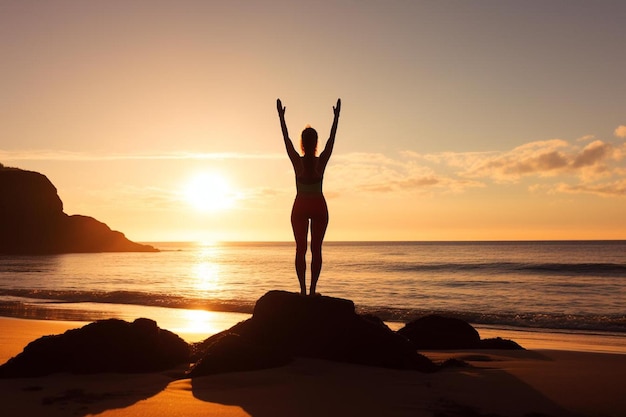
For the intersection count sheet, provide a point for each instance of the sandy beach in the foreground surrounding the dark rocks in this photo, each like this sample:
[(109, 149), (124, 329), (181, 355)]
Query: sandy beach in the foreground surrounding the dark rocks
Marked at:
[(497, 383)]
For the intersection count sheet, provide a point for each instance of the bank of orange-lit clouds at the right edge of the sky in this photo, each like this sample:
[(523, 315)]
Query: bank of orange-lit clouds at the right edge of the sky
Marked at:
[(595, 168)]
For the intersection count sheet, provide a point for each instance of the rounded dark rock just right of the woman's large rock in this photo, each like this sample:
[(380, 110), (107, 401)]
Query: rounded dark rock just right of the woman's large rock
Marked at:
[(437, 332)]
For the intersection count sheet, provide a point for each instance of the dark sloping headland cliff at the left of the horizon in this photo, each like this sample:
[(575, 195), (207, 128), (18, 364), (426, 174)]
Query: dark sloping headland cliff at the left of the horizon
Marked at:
[(32, 220)]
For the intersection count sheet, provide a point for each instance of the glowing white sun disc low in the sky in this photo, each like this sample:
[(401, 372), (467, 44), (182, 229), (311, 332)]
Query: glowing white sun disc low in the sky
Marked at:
[(209, 192)]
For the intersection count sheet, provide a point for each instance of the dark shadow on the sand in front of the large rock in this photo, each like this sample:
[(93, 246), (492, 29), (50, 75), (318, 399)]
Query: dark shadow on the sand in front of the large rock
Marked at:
[(311, 387)]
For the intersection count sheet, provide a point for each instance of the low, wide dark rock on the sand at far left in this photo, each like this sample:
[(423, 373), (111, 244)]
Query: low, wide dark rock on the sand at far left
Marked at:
[(104, 346)]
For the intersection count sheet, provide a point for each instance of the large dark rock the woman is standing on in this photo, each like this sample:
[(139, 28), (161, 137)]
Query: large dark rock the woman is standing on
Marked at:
[(289, 324)]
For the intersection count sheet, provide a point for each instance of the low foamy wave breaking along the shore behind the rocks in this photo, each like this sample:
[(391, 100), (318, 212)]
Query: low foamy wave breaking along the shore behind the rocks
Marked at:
[(23, 303)]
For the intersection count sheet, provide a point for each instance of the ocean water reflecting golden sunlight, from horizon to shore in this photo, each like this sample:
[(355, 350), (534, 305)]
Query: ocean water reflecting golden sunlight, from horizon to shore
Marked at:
[(564, 286)]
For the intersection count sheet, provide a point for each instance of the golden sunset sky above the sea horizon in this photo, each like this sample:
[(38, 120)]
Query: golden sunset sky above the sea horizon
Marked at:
[(460, 120)]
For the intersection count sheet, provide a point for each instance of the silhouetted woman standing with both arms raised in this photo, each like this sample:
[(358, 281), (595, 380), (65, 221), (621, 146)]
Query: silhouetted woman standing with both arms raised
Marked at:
[(310, 204)]
